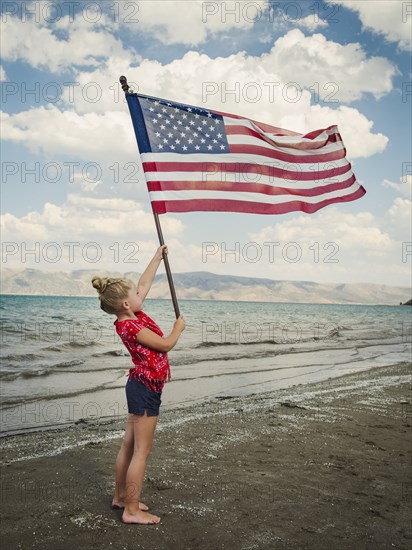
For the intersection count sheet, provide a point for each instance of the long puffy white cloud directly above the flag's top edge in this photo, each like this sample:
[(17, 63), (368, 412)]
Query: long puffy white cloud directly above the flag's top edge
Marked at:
[(296, 71)]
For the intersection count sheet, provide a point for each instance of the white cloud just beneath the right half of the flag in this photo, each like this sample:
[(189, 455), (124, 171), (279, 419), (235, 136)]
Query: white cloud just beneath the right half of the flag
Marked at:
[(332, 245)]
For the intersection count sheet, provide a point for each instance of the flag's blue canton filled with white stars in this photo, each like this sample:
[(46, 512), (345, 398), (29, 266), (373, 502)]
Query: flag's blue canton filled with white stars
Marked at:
[(177, 128)]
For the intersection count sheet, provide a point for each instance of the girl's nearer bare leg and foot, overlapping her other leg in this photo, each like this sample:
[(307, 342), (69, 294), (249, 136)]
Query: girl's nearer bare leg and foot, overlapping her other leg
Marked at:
[(143, 431)]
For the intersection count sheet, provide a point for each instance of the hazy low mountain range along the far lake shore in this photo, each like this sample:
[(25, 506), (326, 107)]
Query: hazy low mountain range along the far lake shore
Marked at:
[(202, 285)]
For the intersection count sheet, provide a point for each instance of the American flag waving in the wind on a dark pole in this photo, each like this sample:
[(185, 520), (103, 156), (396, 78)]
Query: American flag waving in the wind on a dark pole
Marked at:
[(197, 159)]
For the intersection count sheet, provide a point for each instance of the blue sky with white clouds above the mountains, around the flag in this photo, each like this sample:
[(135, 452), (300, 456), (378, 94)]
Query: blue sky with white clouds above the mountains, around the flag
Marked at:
[(73, 190)]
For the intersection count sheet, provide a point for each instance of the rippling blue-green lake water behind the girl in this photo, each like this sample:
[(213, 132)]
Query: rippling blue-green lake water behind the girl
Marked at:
[(62, 360)]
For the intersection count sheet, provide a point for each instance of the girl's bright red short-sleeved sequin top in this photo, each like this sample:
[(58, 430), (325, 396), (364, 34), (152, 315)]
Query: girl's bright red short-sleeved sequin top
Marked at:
[(150, 366)]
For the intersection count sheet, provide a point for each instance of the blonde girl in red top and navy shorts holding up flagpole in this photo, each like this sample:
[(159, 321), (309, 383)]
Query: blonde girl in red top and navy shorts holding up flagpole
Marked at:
[(148, 349)]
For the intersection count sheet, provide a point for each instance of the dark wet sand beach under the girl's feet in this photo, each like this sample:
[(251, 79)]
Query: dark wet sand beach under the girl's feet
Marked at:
[(235, 473)]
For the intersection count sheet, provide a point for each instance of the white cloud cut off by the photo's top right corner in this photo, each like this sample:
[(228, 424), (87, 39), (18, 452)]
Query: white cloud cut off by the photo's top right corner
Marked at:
[(391, 18)]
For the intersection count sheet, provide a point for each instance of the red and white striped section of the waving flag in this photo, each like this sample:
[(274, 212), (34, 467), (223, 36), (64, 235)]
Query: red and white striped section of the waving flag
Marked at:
[(267, 171)]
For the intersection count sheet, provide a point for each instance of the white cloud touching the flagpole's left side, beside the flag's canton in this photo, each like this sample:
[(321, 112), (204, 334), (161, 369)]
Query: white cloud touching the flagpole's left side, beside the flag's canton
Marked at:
[(95, 152)]
